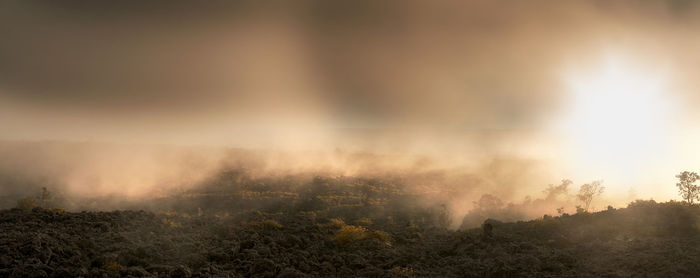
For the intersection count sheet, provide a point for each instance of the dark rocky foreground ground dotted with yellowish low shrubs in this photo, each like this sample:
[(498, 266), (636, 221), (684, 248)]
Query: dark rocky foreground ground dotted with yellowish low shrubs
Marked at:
[(54, 243)]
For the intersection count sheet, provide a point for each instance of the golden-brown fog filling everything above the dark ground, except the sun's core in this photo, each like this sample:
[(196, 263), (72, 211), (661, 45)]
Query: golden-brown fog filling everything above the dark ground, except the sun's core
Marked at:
[(134, 99)]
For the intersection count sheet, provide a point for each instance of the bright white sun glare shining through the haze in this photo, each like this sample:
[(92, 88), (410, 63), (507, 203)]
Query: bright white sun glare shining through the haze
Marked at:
[(617, 119)]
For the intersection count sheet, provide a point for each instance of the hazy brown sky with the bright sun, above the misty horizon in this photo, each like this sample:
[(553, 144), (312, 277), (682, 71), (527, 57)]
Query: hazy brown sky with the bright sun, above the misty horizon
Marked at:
[(592, 89)]
